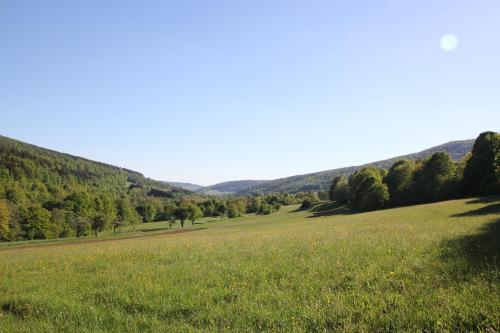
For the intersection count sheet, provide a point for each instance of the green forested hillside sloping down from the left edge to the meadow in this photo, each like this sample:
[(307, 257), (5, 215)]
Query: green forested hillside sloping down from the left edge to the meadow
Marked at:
[(47, 194)]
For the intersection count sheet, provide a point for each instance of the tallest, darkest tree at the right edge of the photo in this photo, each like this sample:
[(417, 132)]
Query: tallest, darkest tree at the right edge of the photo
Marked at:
[(482, 172)]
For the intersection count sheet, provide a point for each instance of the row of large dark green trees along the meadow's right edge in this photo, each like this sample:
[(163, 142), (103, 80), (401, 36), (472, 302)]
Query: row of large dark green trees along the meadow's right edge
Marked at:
[(432, 179)]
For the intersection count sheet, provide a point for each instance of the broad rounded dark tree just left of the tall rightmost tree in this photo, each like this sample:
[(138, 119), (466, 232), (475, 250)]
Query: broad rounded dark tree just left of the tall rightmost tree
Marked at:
[(435, 179)]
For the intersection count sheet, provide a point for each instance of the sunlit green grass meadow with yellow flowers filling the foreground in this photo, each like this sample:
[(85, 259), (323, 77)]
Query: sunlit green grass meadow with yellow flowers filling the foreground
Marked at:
[(423, 268)]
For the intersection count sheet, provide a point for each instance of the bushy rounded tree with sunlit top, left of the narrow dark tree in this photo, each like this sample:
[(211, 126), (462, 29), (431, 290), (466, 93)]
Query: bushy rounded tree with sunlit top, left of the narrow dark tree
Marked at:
[(367, 191)]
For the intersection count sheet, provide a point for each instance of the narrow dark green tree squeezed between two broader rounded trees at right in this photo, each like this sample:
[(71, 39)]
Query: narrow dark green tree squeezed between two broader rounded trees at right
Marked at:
[(399, 180)]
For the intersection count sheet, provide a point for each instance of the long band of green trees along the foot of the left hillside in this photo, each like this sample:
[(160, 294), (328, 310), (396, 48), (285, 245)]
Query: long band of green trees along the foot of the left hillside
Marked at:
[(81, 213)]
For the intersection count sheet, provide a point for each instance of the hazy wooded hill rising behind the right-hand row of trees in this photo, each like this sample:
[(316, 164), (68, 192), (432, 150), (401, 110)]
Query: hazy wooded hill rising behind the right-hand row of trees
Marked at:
[(321, 180)]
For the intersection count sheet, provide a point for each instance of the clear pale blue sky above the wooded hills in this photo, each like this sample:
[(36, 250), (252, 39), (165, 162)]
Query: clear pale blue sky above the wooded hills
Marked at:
[(207, 91)]
